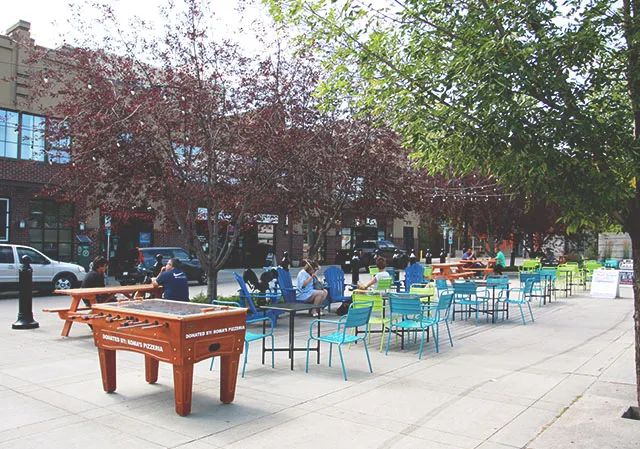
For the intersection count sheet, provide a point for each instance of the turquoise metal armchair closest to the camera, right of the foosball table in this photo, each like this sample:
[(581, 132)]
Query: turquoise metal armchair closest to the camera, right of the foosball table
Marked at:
[(357, 316)]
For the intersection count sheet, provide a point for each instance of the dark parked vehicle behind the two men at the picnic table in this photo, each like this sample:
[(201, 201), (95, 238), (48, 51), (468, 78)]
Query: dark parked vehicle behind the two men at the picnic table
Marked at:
[(147, 258)]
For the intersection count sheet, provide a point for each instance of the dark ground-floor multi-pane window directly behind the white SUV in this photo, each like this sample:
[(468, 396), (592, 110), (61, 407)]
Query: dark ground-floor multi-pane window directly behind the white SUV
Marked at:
[(49, 228)]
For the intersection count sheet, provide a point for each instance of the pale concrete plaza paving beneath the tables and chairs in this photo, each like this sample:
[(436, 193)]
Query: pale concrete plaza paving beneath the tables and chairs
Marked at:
[(563, 381)]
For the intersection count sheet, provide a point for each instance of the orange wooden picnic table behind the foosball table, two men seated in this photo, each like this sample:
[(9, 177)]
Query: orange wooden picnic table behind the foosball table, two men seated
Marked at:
[(83, 314)]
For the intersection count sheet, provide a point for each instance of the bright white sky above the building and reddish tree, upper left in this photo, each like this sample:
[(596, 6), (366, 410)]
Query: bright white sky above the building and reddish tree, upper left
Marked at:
[(50, 18)]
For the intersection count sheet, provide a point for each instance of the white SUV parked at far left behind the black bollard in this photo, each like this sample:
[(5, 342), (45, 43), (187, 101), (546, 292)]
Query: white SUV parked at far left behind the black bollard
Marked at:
[(48, 274)]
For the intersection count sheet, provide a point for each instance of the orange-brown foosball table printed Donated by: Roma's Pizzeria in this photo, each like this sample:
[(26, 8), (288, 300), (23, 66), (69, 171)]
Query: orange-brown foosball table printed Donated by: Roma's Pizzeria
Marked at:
[(179, 333)]
